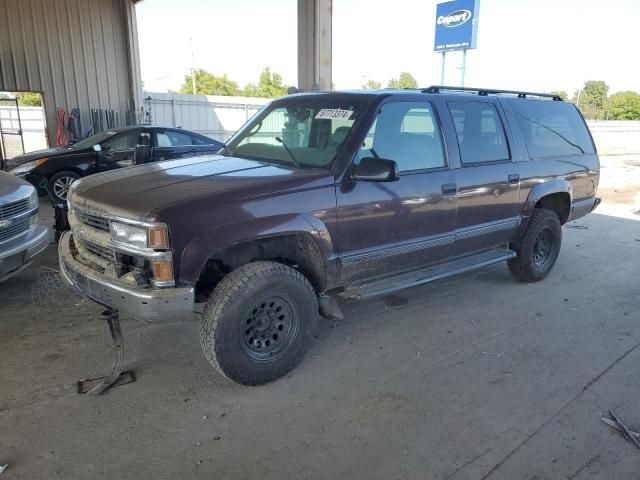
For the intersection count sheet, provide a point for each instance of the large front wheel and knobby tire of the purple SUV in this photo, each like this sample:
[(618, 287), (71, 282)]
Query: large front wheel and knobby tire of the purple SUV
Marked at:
[(259, 322)]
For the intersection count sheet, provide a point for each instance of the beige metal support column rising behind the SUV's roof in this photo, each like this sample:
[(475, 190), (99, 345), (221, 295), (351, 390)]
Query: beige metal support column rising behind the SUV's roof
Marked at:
[(314, 44)]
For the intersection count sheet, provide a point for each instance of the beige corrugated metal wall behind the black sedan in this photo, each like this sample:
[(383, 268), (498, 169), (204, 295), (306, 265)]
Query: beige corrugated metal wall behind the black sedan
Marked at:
[(77, 53)]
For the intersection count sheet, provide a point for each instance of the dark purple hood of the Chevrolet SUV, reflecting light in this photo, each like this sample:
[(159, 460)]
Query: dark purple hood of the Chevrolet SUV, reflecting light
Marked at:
[(137, 192)]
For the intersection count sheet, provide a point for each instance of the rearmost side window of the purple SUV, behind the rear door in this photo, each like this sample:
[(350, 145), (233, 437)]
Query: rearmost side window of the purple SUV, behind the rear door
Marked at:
[(552, 128)]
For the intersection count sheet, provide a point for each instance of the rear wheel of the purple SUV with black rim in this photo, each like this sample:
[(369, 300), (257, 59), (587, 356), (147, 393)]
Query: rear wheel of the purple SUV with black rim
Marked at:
[(538, 249)]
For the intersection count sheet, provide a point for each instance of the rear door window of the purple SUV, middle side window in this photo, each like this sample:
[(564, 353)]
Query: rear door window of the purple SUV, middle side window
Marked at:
[(480, 133)]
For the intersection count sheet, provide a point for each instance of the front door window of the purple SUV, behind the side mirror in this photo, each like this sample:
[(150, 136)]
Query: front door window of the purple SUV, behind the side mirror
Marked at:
[(407, 133)]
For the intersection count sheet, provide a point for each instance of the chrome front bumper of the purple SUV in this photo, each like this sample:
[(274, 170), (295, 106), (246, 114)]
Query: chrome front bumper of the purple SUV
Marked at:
[(163, 304)]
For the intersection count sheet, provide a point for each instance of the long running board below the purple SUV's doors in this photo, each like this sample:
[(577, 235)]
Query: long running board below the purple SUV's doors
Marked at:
[(382, 286)]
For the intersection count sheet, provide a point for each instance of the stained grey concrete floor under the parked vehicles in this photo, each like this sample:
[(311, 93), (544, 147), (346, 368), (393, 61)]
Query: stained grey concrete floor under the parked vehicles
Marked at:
[(472, 377)]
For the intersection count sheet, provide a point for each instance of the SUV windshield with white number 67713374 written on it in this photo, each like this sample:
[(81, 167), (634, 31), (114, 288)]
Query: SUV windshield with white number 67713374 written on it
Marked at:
[(303, 131)]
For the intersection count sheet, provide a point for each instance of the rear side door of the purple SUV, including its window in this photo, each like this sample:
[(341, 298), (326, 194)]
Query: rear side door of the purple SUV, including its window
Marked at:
[(488, 179)]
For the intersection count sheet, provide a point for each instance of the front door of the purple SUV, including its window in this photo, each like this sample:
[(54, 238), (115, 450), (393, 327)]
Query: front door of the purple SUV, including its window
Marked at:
[(386, 227)]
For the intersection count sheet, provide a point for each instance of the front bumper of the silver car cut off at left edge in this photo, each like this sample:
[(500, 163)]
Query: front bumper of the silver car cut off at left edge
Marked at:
[(19, 252)]
